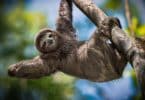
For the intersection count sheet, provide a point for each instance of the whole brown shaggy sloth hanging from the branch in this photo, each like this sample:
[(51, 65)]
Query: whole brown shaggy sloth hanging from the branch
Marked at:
[(95, 59)]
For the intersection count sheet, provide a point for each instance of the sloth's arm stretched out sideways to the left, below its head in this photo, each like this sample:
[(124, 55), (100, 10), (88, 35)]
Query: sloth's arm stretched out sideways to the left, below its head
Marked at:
[(34, 68)]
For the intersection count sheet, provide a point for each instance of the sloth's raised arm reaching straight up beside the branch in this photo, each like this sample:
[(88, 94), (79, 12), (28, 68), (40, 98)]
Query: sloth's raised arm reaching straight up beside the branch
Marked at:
[(64, 21)]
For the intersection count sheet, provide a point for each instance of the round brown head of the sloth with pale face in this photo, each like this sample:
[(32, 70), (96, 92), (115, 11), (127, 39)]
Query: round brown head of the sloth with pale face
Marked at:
[(47, 41)]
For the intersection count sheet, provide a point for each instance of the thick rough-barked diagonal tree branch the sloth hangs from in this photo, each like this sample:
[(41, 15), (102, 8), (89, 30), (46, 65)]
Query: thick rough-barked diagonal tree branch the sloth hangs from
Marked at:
[(128, 46)]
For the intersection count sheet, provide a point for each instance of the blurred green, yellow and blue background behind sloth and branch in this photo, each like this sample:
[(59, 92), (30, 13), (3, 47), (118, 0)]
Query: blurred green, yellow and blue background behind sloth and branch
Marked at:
[(19, 22)]
